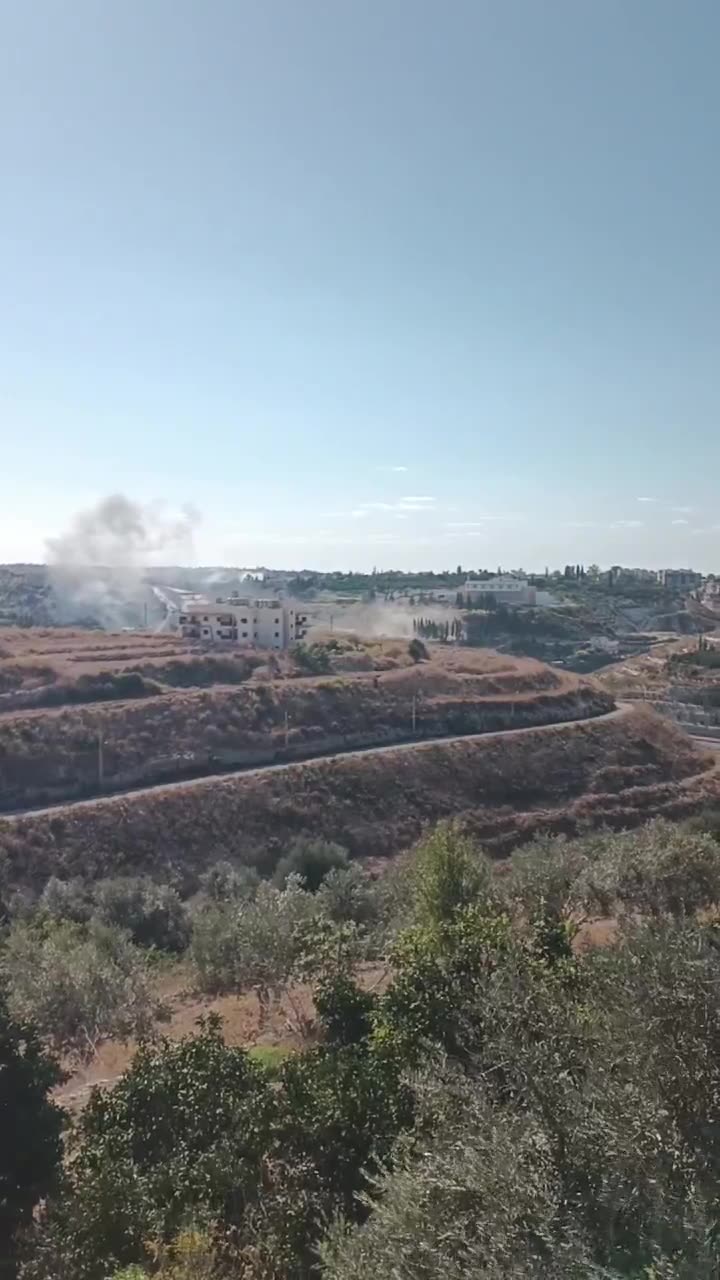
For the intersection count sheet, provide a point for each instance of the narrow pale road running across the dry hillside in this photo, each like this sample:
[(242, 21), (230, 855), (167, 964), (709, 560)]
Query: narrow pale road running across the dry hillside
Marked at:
[(213, 779)]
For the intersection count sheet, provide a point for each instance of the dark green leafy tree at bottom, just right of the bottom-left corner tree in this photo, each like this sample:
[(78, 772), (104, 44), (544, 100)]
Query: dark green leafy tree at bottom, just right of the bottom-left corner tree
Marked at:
[(181, 1136)]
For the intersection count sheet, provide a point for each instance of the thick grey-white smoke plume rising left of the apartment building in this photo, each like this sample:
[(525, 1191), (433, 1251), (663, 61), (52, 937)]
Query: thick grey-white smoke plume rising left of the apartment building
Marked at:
[(98, 566)]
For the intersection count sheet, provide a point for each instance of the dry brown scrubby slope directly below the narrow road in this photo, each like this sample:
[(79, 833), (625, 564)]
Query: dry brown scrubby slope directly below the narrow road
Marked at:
[(618, 771)]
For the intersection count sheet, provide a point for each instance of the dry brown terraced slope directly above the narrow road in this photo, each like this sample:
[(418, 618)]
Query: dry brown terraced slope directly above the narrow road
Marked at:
[(53, 755)]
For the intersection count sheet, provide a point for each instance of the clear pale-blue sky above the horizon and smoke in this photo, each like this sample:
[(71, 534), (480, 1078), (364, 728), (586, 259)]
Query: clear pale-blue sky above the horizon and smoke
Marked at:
[(367, 284)]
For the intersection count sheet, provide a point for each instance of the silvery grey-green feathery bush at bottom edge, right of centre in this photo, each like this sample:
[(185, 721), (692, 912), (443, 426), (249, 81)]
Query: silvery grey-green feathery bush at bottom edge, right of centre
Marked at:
[(482, 1199)]
